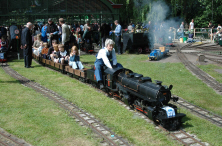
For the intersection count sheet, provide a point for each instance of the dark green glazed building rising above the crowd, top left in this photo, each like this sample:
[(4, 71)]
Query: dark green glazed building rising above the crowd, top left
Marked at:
[(22, 11)]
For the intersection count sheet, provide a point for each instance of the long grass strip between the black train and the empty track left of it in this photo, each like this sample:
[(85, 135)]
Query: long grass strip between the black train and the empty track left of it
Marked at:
[(122, 121)]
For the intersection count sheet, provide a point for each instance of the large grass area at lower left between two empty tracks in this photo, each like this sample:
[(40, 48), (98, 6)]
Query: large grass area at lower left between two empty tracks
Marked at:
[(36, 119)]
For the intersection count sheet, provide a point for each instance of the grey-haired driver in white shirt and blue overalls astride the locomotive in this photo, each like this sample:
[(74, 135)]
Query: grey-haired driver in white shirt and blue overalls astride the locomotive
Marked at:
[(105, 57)]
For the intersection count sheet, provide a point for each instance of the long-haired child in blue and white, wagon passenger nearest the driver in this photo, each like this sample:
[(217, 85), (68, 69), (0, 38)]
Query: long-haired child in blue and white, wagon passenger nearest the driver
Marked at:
[(74, 60)]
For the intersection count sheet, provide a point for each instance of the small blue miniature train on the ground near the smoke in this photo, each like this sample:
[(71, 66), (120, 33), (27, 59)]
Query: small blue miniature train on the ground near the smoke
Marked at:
[(158, 53)]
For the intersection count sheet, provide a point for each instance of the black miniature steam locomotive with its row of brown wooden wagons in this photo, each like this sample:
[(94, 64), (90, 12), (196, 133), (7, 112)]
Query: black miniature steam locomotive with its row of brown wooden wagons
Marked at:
[(137, 91)]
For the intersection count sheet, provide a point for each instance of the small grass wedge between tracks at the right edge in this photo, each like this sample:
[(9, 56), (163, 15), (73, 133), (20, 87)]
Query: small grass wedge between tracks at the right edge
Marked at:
[(210, 69)]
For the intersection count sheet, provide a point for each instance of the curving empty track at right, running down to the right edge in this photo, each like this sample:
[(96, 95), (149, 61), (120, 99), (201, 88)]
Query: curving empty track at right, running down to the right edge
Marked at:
[(210, 81)]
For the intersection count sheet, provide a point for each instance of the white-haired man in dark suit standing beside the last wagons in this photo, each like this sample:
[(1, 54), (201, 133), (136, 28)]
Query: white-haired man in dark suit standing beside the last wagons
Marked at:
[(26, 44)]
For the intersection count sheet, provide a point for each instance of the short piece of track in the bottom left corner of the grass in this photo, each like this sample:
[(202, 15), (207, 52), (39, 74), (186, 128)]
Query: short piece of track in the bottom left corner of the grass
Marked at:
[(7, 139)]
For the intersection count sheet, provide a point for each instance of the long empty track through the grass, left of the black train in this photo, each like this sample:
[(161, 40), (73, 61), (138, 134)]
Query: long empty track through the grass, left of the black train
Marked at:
[(84, 118)]
